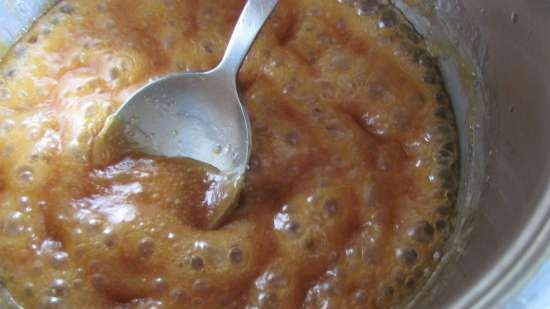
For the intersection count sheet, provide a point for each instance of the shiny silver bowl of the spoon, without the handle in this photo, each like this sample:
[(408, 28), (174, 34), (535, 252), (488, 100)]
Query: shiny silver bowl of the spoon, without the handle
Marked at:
[(192, 115)]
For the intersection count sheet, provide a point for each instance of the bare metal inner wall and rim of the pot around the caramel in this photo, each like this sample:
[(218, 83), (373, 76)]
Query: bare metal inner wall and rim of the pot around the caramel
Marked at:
[(495, 58)]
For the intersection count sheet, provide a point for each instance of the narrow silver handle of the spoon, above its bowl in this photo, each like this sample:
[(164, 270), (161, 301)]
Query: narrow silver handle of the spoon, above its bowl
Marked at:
[(251, 21)]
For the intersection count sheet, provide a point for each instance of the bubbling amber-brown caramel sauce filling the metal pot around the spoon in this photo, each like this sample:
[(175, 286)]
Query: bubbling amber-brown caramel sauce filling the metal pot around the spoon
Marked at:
[(351, 188)]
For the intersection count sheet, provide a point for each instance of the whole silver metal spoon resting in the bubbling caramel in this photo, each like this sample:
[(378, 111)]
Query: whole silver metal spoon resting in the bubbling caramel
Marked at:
[(198, 115)]
